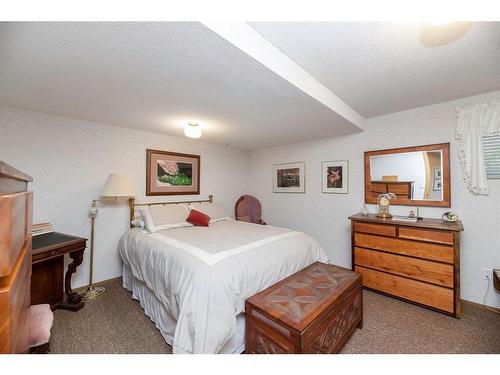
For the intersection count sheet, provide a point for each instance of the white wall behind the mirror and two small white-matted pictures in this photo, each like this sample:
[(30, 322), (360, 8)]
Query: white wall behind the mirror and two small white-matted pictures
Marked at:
[(324, 216)]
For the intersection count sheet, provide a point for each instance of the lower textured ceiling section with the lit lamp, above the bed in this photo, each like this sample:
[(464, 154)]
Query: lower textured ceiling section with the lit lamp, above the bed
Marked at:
[(151, 76)]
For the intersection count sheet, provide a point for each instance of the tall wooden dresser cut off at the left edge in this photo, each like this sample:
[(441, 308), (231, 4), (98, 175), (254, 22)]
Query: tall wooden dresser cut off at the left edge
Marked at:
[(15, 260)]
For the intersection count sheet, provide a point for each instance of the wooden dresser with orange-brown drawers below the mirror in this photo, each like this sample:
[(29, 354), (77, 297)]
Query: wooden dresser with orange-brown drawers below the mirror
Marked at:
[(417, 262)]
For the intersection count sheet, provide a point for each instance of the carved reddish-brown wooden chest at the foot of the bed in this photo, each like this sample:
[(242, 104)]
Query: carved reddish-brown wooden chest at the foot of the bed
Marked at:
[(315, 310)]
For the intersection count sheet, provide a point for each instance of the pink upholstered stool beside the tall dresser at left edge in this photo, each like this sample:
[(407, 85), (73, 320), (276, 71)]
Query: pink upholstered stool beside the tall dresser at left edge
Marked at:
[(41, 319)]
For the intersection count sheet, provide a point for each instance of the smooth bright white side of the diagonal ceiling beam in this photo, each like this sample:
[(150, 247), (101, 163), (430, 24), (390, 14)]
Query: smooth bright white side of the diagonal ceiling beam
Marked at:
[(247, 39)]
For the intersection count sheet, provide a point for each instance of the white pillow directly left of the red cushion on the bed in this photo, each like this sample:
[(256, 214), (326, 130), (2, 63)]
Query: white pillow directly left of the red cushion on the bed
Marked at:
[(160, 217)]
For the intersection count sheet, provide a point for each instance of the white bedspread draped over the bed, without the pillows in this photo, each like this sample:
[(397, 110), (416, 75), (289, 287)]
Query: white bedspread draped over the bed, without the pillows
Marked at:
[(203, 275)]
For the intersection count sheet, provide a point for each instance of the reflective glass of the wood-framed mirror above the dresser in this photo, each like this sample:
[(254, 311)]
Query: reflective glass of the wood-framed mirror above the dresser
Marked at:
[(409, 175)]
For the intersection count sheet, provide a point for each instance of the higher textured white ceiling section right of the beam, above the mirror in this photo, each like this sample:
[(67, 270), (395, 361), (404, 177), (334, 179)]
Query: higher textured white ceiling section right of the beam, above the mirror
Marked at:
[(379, 68)]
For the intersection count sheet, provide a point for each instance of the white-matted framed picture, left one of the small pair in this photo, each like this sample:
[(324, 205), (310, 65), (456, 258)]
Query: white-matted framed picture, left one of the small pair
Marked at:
[(289, 177)]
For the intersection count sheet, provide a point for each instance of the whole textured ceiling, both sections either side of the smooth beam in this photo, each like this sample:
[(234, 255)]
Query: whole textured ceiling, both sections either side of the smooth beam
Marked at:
[(157, 76)]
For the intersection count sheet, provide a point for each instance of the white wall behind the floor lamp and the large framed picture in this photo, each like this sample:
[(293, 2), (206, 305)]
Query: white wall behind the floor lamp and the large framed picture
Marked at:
[(70, 160)]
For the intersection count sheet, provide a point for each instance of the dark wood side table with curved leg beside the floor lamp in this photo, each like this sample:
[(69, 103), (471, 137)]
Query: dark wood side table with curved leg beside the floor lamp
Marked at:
[(48, 267)]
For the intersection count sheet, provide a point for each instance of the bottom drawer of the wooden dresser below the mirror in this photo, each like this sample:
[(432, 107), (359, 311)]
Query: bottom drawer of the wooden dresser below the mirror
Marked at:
[(413, 290)]
